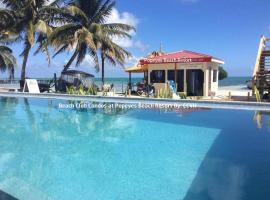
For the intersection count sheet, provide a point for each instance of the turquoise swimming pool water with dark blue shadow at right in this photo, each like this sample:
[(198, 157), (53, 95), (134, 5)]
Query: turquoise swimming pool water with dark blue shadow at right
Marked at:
[(114, 154)]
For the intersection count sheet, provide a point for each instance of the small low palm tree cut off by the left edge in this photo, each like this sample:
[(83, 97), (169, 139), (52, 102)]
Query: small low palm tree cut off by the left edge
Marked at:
[(7, 61)]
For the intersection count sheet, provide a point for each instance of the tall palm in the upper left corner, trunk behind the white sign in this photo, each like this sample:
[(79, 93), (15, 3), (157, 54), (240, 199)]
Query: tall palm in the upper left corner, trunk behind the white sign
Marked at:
[(29, 20)]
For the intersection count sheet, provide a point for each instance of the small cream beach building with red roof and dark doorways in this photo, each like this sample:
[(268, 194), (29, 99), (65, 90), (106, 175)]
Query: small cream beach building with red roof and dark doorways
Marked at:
[(196, 74)]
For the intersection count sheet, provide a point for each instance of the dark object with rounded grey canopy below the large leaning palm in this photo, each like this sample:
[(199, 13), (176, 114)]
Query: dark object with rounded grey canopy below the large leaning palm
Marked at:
[(74, 78)]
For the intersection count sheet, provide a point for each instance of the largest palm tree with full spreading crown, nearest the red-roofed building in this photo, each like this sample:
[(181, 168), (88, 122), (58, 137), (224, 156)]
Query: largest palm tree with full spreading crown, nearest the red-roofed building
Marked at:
[(88, 31)]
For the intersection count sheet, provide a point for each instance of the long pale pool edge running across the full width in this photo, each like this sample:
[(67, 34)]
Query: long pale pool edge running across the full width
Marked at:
[(183, 103)]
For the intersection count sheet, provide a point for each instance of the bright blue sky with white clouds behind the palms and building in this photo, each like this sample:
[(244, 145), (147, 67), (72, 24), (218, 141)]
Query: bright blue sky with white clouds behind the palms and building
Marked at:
[(227, 29)]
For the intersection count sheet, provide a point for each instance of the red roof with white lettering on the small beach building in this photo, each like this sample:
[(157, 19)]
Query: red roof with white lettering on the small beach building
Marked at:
[(179, 57)]
